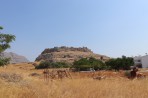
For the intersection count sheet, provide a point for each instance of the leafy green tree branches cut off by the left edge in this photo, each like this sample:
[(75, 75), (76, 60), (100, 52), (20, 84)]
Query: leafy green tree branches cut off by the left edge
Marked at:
[(5, 40)]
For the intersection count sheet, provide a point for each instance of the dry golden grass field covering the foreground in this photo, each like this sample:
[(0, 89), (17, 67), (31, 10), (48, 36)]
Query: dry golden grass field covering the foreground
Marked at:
[(16, 81)]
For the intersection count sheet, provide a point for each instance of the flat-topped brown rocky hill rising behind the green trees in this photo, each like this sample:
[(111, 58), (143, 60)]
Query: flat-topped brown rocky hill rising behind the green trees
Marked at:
[(68, 54)]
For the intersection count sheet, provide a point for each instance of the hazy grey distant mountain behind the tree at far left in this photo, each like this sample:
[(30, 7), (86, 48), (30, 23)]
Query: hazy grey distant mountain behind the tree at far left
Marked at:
[(15, 58)]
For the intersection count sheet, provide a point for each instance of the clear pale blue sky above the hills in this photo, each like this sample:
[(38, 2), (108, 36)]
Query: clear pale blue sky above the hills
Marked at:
[(109, 27)]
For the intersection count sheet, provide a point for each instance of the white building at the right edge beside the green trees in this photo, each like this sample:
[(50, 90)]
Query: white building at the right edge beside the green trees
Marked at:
[(141, 61)]
